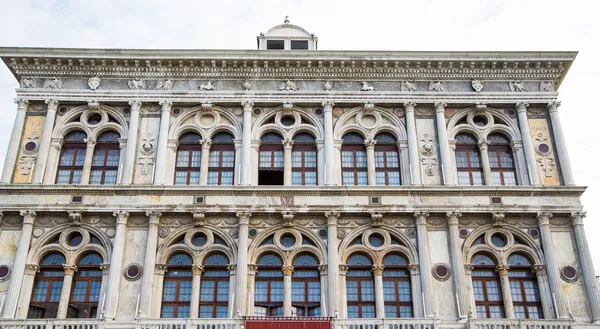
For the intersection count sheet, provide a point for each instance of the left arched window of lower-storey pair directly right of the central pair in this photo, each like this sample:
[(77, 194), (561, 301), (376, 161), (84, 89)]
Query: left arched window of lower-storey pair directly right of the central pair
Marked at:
[(360, 289)]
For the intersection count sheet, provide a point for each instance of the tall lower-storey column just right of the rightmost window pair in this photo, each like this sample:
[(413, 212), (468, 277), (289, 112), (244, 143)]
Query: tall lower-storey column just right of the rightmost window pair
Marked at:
[(551, 263)]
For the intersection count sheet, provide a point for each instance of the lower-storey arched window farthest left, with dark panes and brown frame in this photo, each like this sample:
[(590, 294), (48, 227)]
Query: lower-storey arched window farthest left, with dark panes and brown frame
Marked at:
[(47, 287)]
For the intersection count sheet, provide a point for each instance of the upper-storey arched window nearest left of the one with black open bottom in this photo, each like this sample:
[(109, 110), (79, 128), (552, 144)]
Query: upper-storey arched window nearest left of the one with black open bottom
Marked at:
[(221, 162)]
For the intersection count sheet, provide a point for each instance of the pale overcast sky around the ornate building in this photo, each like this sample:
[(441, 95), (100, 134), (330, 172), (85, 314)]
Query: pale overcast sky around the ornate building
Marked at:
[(511, 25)]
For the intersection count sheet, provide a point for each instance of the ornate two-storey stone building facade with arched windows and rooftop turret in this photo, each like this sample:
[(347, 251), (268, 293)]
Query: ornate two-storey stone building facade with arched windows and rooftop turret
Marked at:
[(161, 188)]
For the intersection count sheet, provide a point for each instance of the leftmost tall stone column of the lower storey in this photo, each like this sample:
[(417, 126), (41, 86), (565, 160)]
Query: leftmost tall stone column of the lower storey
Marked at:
[(18, 268)]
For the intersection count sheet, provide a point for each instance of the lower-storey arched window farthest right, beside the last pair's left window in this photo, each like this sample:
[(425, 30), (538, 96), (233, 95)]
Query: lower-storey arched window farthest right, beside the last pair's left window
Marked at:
[(524, 288)]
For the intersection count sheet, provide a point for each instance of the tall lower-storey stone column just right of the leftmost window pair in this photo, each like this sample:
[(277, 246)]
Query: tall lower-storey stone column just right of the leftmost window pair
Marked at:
[(116, 262)]
